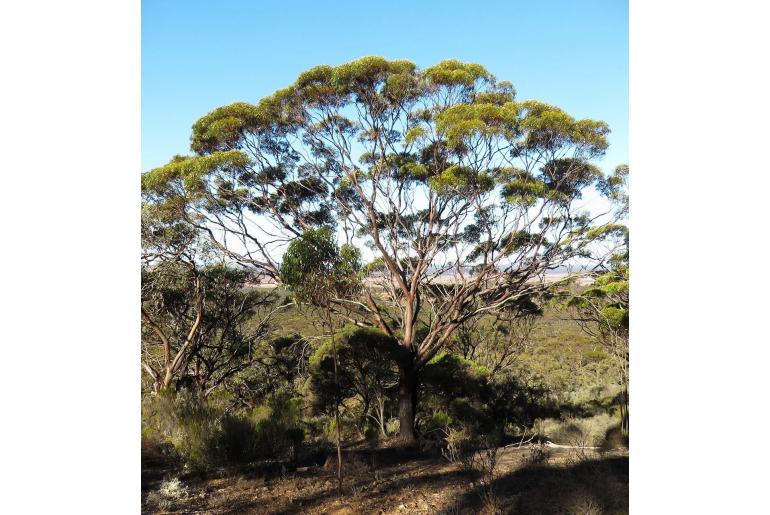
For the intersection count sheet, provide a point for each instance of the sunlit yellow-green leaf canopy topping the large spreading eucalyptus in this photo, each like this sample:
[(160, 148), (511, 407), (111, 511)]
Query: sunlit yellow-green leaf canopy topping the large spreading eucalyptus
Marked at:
[(384, 89)]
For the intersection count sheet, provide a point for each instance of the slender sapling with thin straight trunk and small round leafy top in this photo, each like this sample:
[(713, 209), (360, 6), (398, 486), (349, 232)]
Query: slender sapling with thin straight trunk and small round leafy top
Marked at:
[(318, 272)]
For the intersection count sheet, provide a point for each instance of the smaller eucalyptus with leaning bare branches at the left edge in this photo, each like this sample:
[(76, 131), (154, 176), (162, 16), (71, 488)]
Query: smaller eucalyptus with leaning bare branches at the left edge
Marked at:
[(200, 324)]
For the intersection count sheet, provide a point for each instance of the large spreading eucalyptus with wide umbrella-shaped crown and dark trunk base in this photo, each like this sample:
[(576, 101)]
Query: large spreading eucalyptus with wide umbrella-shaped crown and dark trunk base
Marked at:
[(464, 195)]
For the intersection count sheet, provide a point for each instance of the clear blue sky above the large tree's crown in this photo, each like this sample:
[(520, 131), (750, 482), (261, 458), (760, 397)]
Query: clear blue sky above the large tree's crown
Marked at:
[(197, 55)]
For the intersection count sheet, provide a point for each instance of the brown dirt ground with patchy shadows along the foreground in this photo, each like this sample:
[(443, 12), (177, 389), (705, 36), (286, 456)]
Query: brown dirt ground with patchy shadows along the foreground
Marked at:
[(394, 481)]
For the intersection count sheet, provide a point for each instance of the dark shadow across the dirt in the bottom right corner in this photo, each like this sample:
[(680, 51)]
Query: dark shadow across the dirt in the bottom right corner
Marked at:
[(595, 487)]
